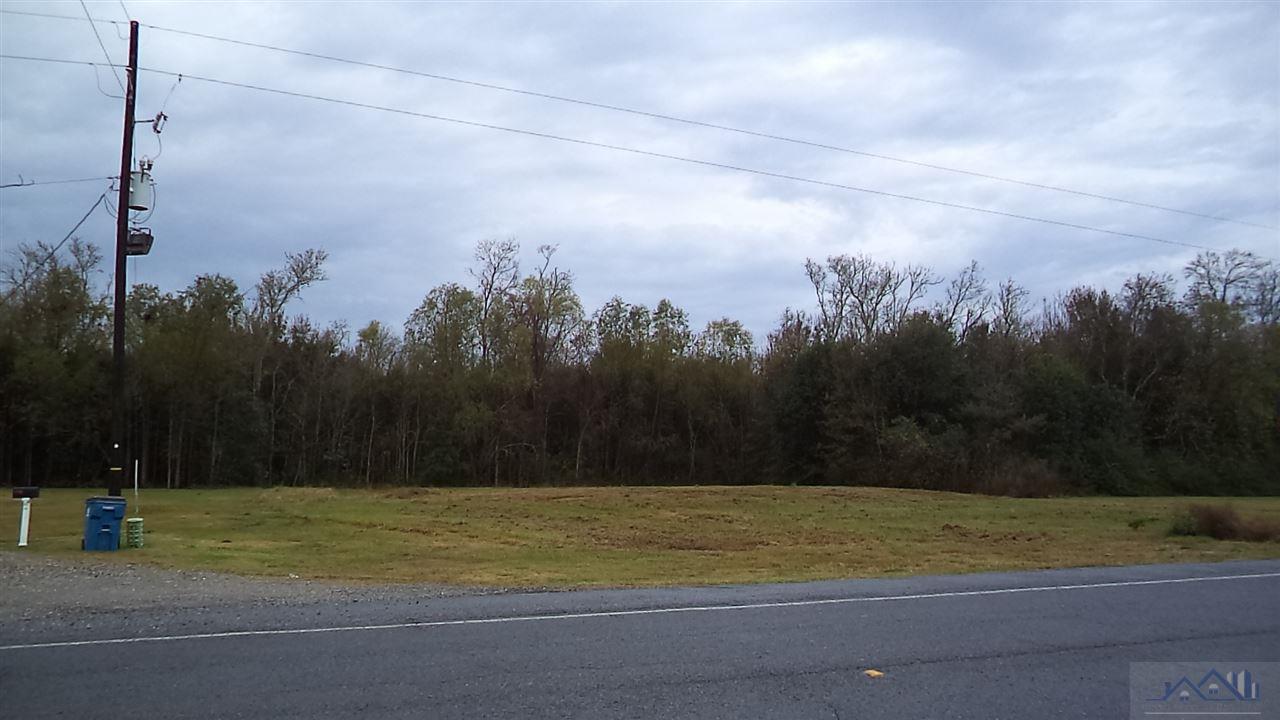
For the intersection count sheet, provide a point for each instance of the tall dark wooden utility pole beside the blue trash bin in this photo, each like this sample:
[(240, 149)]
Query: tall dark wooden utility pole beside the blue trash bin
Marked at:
[(118, 461)]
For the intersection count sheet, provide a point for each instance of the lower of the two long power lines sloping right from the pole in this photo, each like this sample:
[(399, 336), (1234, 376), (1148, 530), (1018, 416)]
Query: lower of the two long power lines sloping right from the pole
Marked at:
[(638, 152)]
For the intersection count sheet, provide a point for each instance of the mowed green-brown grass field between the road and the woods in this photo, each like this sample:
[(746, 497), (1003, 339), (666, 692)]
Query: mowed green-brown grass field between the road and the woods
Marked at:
[(582, 537)]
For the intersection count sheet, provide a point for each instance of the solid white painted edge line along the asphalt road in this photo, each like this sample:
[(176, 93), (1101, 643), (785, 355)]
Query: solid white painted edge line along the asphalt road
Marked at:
[(628, 613)]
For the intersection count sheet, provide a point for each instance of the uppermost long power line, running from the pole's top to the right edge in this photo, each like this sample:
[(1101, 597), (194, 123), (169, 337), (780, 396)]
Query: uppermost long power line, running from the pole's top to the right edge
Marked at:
[(683, 121)]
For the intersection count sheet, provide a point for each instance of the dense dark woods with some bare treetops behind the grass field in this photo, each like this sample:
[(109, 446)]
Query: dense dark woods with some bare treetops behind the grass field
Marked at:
[(894, 377)]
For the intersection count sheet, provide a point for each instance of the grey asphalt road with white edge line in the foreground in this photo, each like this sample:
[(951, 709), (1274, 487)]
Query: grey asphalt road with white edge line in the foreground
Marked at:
[(1011, 645)]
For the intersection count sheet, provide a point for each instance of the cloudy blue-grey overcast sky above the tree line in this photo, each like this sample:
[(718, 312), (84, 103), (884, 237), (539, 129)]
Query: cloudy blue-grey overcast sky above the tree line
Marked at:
[(1169, 104)]
